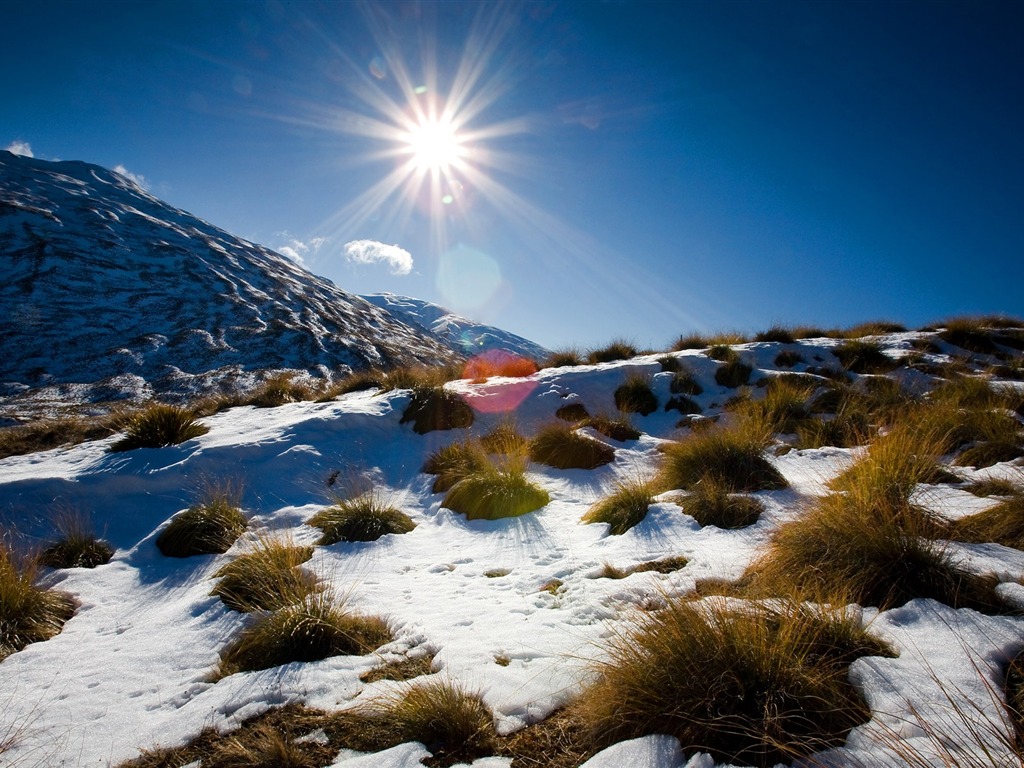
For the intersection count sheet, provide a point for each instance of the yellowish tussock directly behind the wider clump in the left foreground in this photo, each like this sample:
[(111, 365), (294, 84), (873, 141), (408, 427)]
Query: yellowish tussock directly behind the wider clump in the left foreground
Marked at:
[(266, 577)]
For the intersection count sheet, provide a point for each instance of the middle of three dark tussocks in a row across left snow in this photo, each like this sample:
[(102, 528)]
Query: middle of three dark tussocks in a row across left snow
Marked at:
[(206, 529)]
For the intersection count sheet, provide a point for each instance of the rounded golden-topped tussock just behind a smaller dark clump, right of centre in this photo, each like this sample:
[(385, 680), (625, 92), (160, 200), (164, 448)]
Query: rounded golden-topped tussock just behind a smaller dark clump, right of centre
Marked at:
[(734, 458)]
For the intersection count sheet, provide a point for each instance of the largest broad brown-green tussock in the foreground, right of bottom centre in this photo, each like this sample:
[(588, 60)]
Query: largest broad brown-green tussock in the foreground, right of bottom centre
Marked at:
[(750, 687)]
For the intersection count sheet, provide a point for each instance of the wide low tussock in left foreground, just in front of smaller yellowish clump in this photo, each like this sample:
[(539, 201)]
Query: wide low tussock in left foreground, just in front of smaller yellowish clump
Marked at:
[(314, 629)]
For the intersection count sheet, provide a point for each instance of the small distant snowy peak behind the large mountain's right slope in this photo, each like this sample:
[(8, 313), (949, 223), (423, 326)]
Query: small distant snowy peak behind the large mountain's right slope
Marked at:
[(465, 336)]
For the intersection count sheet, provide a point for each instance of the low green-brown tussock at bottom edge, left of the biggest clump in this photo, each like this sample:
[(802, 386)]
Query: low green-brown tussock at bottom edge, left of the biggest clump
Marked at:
[(453, 723)]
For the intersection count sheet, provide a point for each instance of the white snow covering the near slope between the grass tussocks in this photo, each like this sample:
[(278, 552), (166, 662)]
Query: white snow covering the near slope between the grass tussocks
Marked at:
[(133, 669)]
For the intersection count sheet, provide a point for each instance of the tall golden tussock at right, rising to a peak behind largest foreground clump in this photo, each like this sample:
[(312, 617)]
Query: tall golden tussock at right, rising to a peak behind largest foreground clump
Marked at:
[(868, 542)]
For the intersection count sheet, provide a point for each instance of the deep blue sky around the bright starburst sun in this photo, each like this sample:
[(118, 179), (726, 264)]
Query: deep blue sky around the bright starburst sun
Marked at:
[(628, 170)]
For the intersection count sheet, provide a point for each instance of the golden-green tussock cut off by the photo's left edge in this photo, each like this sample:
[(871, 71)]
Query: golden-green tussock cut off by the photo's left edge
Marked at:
[(28, 614)]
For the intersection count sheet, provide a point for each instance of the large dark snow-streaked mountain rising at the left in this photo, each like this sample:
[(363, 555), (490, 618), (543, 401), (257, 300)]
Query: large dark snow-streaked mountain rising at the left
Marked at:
[(109, 292)]
